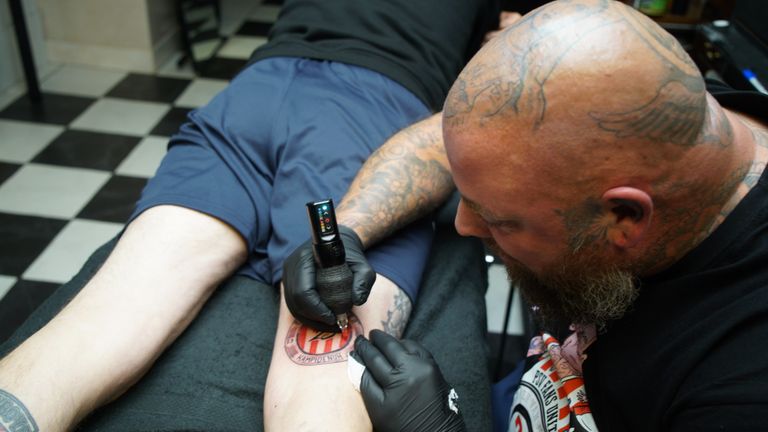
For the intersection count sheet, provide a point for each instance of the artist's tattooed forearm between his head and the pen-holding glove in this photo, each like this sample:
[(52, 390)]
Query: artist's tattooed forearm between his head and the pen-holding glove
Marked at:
[(405, 179)]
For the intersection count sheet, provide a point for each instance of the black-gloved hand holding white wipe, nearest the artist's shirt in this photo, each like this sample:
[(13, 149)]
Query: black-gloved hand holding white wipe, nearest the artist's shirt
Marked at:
[(403, 388)]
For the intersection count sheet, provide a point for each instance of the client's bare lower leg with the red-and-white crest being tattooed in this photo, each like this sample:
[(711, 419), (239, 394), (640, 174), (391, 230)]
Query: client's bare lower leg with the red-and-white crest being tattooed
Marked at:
[(307, 386)]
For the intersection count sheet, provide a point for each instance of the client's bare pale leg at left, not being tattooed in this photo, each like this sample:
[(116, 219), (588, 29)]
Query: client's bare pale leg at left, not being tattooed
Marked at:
[(161, 272)]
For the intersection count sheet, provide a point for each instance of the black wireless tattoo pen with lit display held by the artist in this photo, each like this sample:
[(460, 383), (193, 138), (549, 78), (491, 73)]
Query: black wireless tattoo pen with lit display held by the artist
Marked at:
[(333, 278)]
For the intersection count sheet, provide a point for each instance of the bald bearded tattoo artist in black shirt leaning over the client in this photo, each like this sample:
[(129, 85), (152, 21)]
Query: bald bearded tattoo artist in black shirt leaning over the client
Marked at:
[(628, 199)]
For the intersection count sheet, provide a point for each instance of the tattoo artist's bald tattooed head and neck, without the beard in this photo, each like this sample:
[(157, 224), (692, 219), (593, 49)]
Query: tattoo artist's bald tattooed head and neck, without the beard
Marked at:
[(615, 148)]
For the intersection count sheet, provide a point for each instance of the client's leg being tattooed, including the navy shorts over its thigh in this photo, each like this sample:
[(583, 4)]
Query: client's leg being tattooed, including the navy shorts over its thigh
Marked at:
[(331, 118)]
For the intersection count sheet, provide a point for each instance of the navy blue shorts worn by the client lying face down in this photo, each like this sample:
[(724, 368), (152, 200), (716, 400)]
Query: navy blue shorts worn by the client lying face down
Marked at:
[(287, 131)]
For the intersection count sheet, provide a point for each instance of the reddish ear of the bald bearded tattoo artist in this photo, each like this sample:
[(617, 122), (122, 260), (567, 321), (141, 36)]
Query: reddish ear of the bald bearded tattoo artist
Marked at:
[(631, 209)]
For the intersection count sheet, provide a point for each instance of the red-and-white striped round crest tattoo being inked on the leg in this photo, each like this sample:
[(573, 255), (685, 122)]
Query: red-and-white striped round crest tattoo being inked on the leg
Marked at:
[(307, 346)]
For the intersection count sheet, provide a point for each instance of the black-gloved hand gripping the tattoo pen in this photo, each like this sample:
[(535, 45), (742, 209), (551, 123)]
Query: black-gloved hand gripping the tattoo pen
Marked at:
[(301, 294)]
